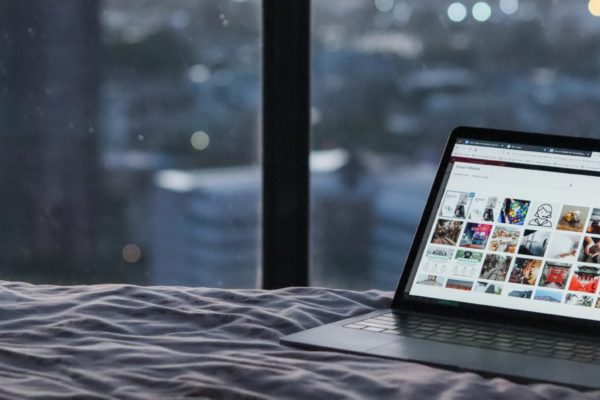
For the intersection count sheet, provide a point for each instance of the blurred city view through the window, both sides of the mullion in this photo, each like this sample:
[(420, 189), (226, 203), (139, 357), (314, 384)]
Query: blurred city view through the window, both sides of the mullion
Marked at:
[(131, 132)]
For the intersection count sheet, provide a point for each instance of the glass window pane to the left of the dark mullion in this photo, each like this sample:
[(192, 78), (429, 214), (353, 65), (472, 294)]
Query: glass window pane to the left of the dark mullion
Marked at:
[(130, 141)]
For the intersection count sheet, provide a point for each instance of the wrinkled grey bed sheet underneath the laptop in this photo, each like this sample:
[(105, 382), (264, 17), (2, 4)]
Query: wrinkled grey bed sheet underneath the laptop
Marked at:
[(129, 342)]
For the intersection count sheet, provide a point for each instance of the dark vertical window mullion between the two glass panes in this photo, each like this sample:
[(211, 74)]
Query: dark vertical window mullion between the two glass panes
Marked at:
[(285, 128)]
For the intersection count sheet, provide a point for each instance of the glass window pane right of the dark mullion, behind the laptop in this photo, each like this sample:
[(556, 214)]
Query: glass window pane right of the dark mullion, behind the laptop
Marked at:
[(389, 87)]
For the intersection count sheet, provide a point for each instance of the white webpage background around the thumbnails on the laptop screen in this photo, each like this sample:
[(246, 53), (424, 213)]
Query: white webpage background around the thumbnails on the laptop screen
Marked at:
[(525, 184)]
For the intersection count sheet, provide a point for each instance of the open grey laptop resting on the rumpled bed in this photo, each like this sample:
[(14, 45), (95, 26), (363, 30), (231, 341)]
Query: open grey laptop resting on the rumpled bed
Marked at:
[(503, 274)]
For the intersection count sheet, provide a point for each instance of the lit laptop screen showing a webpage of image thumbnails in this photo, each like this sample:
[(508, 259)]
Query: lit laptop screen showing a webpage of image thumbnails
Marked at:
[(515, 226)]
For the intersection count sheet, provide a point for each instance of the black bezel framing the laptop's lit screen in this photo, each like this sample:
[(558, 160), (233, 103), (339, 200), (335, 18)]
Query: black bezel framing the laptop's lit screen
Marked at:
[(404, 301)]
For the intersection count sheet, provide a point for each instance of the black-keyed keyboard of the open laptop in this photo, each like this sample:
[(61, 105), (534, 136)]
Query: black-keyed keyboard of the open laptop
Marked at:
[(490, 337)]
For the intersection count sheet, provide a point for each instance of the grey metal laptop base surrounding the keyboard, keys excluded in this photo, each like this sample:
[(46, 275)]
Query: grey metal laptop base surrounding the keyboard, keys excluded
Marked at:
[(517, 367)]
